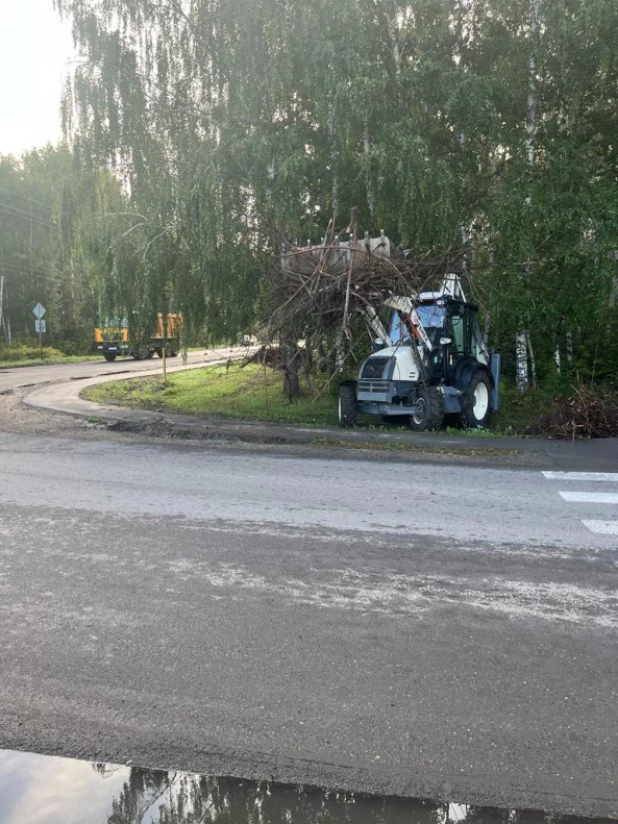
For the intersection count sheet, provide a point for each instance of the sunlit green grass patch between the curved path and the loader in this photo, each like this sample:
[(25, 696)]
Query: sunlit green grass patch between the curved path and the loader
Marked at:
[(251, 393)]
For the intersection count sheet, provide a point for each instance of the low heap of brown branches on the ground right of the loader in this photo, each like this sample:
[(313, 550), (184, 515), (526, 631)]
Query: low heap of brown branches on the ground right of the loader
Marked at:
[(588, 412)]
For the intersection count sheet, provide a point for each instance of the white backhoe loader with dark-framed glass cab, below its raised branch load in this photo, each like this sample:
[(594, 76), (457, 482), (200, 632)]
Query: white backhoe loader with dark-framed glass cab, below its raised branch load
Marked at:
[(431, 362)]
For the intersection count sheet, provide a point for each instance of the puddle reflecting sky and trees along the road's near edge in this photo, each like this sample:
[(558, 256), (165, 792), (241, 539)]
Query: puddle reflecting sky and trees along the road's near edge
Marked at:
[(37, 789)]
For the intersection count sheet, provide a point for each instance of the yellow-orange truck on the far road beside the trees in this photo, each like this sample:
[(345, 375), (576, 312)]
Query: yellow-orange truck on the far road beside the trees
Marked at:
[(112, 338)]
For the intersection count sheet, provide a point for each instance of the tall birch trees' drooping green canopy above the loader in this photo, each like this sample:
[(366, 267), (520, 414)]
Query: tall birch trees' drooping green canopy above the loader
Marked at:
[(235, 126)]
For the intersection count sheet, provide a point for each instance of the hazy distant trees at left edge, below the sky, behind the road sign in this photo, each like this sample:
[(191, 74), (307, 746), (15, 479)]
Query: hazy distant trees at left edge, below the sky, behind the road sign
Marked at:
[(50, 220)]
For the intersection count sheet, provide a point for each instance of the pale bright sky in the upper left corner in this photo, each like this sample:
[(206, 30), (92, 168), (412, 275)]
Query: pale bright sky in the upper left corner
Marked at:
[(35, 50)]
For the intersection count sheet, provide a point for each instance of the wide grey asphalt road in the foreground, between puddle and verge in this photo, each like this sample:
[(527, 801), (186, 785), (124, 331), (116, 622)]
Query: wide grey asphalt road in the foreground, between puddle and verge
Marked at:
[(435, 630)]
